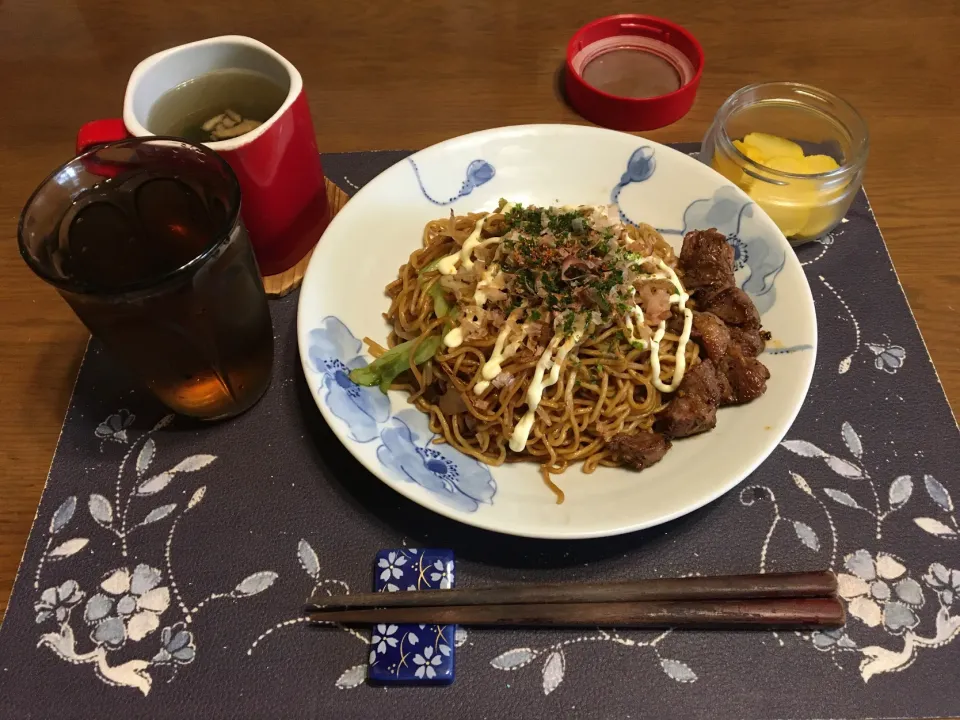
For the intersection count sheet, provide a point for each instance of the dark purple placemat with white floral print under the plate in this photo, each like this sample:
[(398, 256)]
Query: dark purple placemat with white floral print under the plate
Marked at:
[(168, 562)]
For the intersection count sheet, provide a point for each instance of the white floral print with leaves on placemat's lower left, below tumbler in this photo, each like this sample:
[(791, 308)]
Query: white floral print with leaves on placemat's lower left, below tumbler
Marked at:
[(133, 599)]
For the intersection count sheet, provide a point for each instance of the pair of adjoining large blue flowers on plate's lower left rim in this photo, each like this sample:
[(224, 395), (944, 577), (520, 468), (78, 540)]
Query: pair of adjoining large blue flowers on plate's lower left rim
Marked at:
[(407, 447)]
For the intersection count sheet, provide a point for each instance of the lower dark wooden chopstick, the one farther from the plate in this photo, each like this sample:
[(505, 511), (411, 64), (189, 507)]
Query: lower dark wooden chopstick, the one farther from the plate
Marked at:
[(782, 613)]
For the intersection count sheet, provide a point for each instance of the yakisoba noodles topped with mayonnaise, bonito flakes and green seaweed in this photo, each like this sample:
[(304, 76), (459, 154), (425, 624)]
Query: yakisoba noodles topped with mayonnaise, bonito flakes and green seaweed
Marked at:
[(551, 335)]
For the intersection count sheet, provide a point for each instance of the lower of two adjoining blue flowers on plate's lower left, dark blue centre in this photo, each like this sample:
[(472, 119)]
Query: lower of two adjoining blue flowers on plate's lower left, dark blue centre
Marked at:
[(457, 480)]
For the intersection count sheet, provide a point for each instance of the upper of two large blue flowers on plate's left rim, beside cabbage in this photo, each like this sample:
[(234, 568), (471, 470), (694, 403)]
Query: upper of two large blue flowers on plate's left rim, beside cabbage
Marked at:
[(333, 353)]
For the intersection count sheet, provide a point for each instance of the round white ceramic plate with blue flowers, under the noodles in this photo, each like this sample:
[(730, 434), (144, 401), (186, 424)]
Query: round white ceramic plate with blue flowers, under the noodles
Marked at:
[(342, 300)]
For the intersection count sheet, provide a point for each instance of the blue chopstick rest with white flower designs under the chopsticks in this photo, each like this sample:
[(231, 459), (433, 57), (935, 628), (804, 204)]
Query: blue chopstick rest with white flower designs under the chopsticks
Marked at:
[(412, 654)]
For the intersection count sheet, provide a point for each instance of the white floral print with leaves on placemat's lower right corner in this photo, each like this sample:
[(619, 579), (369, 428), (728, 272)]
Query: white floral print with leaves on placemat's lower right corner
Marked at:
[(882, 593)]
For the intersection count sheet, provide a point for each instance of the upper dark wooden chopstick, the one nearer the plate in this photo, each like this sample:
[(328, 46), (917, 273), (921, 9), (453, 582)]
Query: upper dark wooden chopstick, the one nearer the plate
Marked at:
[(730, 587)]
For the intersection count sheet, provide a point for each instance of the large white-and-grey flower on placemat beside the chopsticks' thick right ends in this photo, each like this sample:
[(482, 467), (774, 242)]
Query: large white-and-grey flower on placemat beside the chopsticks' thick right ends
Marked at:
[(879, 591)]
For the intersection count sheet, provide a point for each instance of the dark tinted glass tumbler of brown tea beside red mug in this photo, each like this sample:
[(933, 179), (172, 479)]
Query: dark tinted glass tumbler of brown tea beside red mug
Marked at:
[(144, 241)]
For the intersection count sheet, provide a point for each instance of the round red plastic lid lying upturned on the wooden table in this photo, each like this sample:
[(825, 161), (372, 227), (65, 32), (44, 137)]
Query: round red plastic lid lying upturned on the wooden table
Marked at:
[(633, 72)]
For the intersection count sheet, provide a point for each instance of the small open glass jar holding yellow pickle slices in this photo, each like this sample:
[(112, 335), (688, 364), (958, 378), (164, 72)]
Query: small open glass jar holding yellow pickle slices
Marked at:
[(804, 205)]
